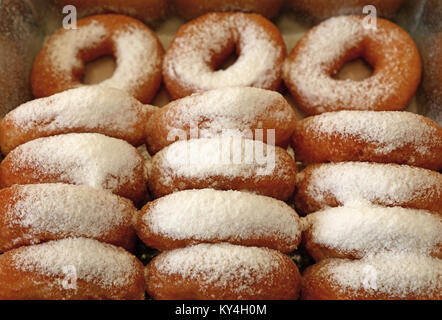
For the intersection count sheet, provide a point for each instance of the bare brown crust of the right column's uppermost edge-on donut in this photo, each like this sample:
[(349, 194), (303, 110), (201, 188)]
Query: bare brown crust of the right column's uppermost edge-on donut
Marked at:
[(338, 147)]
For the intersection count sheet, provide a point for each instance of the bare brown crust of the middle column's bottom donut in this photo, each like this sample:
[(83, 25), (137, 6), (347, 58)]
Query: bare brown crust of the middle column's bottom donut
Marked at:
[(284, 284)]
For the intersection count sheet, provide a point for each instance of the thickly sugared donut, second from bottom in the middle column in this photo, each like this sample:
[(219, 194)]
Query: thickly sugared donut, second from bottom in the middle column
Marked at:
[(196, 216)]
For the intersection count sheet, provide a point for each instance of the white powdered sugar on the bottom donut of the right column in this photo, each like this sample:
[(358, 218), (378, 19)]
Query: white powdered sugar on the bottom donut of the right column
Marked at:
[(394, 274)]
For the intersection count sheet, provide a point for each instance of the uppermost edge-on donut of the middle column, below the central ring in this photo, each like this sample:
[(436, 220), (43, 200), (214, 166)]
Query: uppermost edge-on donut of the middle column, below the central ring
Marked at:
[(253, 112)]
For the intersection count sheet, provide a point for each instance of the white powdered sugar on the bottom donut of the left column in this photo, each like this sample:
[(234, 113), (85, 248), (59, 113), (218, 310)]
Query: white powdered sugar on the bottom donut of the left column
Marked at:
[(102, 264)]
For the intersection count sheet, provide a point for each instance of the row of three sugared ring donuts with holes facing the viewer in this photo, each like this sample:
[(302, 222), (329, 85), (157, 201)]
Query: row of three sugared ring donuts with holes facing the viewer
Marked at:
[(193, 61)]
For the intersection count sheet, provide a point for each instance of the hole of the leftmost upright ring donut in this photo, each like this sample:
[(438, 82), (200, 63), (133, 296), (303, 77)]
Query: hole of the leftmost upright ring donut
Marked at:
[(99, 69)]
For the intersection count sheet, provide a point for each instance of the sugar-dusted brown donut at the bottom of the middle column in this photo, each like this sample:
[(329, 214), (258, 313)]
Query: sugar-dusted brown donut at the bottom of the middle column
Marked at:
[(222, 272)]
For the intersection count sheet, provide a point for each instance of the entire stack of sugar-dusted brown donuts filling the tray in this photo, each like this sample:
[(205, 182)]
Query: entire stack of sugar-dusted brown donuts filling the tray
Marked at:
[(217, 189)]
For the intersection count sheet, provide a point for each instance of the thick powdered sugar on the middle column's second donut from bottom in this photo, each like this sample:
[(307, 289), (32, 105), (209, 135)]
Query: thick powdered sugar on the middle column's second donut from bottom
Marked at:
[(211, 214)]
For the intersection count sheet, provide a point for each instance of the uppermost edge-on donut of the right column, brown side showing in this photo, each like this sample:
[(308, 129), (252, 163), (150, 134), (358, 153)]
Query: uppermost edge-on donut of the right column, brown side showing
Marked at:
[(385, 137)]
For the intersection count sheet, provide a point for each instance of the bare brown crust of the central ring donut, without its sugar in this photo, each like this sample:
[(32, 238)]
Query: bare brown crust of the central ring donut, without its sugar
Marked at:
[(178, 88)]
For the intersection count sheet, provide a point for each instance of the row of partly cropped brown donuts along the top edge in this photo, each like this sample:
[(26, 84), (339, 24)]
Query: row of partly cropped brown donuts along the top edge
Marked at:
[(151, 11)]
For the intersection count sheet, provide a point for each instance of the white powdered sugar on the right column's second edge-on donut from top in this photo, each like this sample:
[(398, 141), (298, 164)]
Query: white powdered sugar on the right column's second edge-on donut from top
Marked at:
[(390, 184)]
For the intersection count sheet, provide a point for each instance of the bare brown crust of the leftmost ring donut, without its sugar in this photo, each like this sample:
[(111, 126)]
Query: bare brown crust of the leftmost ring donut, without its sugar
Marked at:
[(46, 80)]
